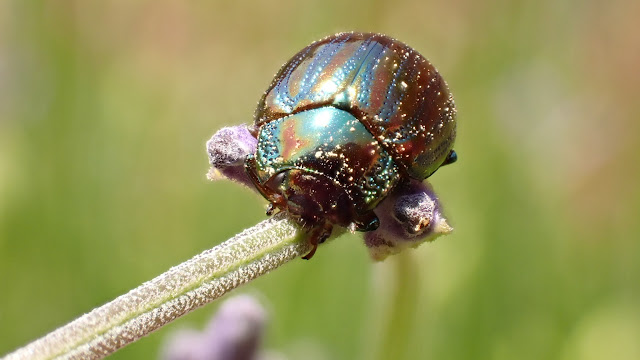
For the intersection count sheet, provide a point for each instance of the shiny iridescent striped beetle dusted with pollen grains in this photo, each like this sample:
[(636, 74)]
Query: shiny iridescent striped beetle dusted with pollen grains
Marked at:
[(343, 123)]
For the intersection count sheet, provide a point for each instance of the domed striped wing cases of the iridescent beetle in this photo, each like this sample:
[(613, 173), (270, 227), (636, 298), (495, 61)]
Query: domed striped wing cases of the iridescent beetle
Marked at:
[(396, 94)]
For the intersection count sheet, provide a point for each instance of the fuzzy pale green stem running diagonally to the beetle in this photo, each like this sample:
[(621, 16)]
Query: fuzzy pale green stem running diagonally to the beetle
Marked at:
[(182, 289)]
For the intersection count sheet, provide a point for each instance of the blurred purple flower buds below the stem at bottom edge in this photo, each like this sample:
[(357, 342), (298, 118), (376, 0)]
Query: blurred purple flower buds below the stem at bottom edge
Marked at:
[(234, 333)]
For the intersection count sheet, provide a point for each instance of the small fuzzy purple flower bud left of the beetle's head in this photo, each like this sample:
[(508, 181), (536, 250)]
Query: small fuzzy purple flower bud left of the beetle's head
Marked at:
[(227, 150)]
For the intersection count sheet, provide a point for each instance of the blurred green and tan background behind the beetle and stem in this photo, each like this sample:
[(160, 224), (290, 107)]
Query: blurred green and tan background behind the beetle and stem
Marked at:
[(105, 108)]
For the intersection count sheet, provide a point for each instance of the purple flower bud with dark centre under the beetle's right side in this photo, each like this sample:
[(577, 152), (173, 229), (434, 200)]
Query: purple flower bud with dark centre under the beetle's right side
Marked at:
[(409, 216)]
